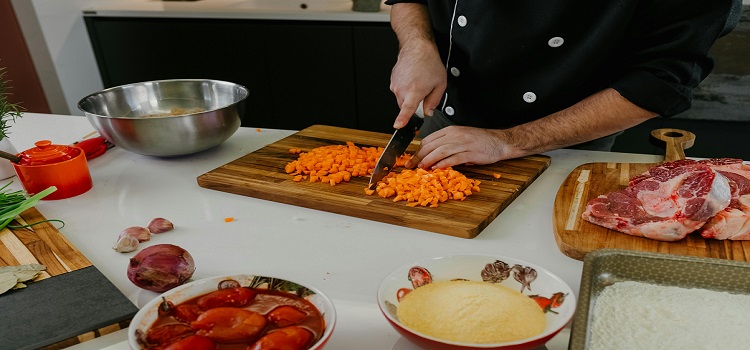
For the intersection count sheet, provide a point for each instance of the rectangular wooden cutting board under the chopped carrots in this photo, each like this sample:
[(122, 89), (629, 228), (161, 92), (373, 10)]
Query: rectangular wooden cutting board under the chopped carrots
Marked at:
[(261, 174)]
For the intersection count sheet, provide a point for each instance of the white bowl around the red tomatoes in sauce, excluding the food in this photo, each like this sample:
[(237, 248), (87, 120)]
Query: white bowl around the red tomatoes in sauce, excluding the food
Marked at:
[(149, 313)]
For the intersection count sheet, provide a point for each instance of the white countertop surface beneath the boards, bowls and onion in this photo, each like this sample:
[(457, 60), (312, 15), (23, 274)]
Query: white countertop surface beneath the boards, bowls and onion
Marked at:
[(343, 256)]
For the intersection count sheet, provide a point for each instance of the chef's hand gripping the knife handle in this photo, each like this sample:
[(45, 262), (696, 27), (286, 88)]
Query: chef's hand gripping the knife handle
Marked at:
[(419, 75)]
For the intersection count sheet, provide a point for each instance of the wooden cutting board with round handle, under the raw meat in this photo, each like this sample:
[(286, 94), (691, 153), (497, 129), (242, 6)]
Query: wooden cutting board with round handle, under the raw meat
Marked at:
[(576, 237)]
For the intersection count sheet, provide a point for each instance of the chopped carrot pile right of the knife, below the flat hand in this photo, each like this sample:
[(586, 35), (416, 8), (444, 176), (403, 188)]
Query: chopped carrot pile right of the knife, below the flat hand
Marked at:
[(426, 187)]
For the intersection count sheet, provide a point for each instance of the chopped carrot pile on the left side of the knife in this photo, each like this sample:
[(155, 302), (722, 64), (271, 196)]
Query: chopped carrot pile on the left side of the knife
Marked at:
[(336, 163)]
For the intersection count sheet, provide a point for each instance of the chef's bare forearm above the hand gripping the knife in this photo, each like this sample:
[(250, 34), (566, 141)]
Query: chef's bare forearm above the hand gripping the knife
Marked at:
[(411, 23)]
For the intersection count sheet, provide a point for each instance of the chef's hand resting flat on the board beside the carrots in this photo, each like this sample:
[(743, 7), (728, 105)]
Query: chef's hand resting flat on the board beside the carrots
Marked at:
[(454, 145)]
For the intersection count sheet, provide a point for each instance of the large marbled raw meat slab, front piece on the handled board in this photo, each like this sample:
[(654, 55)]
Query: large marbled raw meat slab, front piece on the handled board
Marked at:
[(665, 203)]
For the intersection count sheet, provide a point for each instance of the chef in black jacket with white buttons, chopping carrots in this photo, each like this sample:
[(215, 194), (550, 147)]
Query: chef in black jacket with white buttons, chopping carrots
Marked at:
[(504, 79)]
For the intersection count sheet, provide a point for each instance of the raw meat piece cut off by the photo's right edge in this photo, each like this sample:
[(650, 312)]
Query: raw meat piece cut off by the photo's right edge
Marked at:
[(734, 221)]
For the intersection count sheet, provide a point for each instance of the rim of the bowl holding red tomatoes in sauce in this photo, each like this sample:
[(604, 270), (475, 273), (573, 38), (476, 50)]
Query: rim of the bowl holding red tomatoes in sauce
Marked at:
[(133, 343)]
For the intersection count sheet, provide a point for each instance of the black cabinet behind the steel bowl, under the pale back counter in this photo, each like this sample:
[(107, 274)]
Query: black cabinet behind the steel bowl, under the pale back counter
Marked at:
[(299, 73)]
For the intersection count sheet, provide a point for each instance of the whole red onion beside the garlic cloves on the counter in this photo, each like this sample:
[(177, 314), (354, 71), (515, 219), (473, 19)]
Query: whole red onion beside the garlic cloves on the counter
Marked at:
[(161, 267)]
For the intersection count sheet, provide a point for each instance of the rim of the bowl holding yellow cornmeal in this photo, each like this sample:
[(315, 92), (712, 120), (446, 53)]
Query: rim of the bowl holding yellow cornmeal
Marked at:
[(541, 336)]
